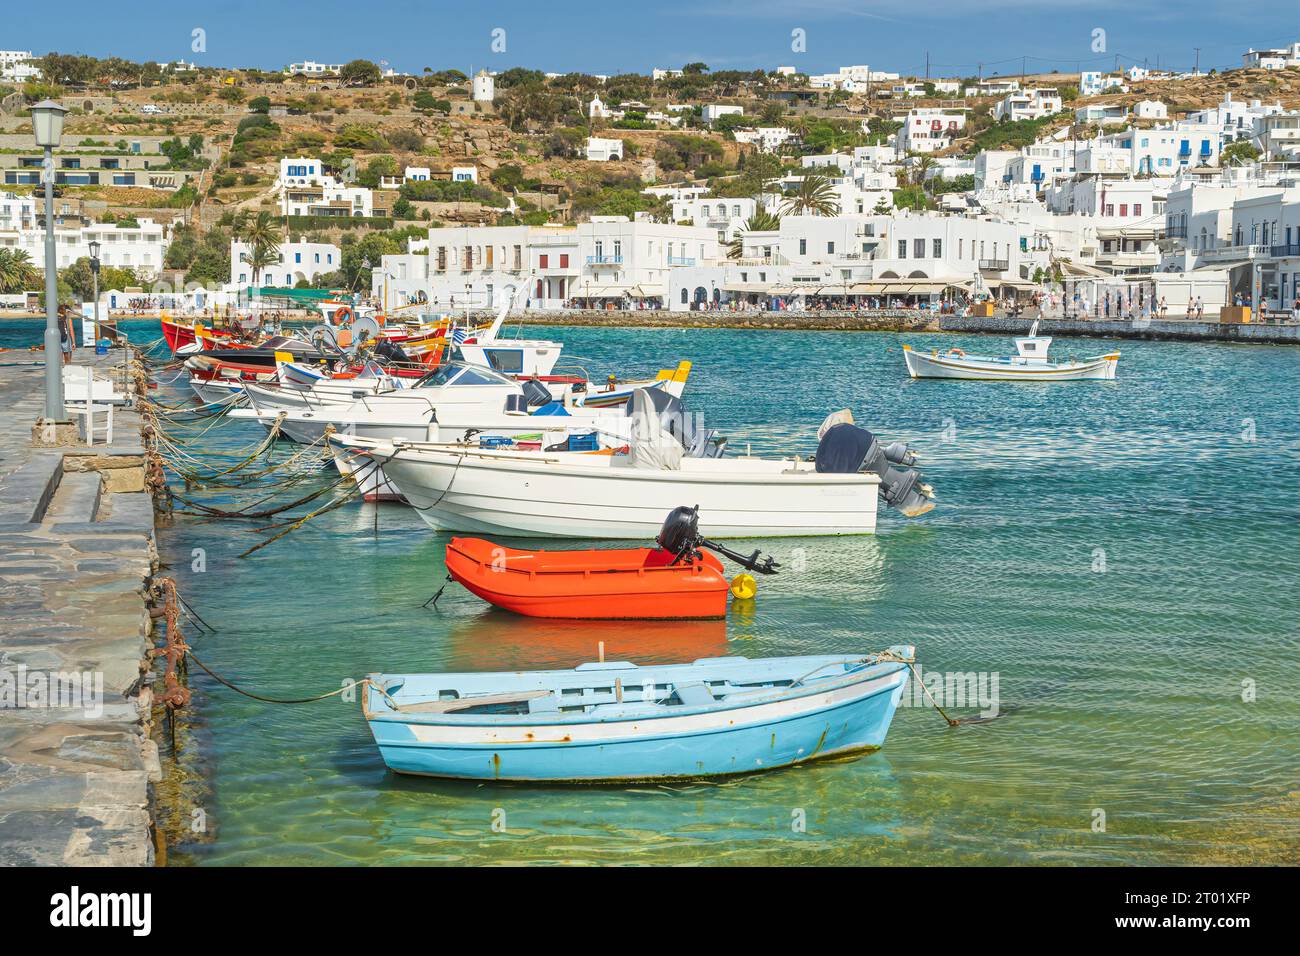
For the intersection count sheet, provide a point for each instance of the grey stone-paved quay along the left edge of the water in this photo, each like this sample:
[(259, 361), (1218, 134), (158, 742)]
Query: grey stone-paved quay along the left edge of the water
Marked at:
[(76, 553)]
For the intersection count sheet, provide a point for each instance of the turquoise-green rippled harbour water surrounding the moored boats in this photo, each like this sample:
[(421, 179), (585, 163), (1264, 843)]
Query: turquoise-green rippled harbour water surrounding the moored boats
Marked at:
[(1124, 556)]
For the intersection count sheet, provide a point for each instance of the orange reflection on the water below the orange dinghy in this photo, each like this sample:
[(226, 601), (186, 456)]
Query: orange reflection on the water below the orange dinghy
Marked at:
[(500, 641)]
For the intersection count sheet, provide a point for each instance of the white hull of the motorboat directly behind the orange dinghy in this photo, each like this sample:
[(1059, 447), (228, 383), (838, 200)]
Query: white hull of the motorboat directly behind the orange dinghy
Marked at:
[(491, 495)]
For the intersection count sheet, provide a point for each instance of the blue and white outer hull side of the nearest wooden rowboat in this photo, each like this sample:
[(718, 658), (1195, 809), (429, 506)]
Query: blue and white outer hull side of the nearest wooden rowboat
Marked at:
[(848, 720)]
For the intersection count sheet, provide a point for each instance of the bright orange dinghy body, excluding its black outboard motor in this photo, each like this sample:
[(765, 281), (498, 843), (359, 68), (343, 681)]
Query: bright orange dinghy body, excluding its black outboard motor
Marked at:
[(638, 583)]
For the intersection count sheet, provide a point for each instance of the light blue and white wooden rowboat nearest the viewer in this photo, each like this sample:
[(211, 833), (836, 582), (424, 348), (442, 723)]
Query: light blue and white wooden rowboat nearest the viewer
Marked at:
[(617, 723)]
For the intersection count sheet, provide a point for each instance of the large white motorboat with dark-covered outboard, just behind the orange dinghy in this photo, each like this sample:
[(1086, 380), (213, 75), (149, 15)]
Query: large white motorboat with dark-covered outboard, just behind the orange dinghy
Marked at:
[(622, 494)]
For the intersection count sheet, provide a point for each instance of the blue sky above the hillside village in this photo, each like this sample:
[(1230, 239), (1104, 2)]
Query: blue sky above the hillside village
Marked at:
[(613, 37)]
